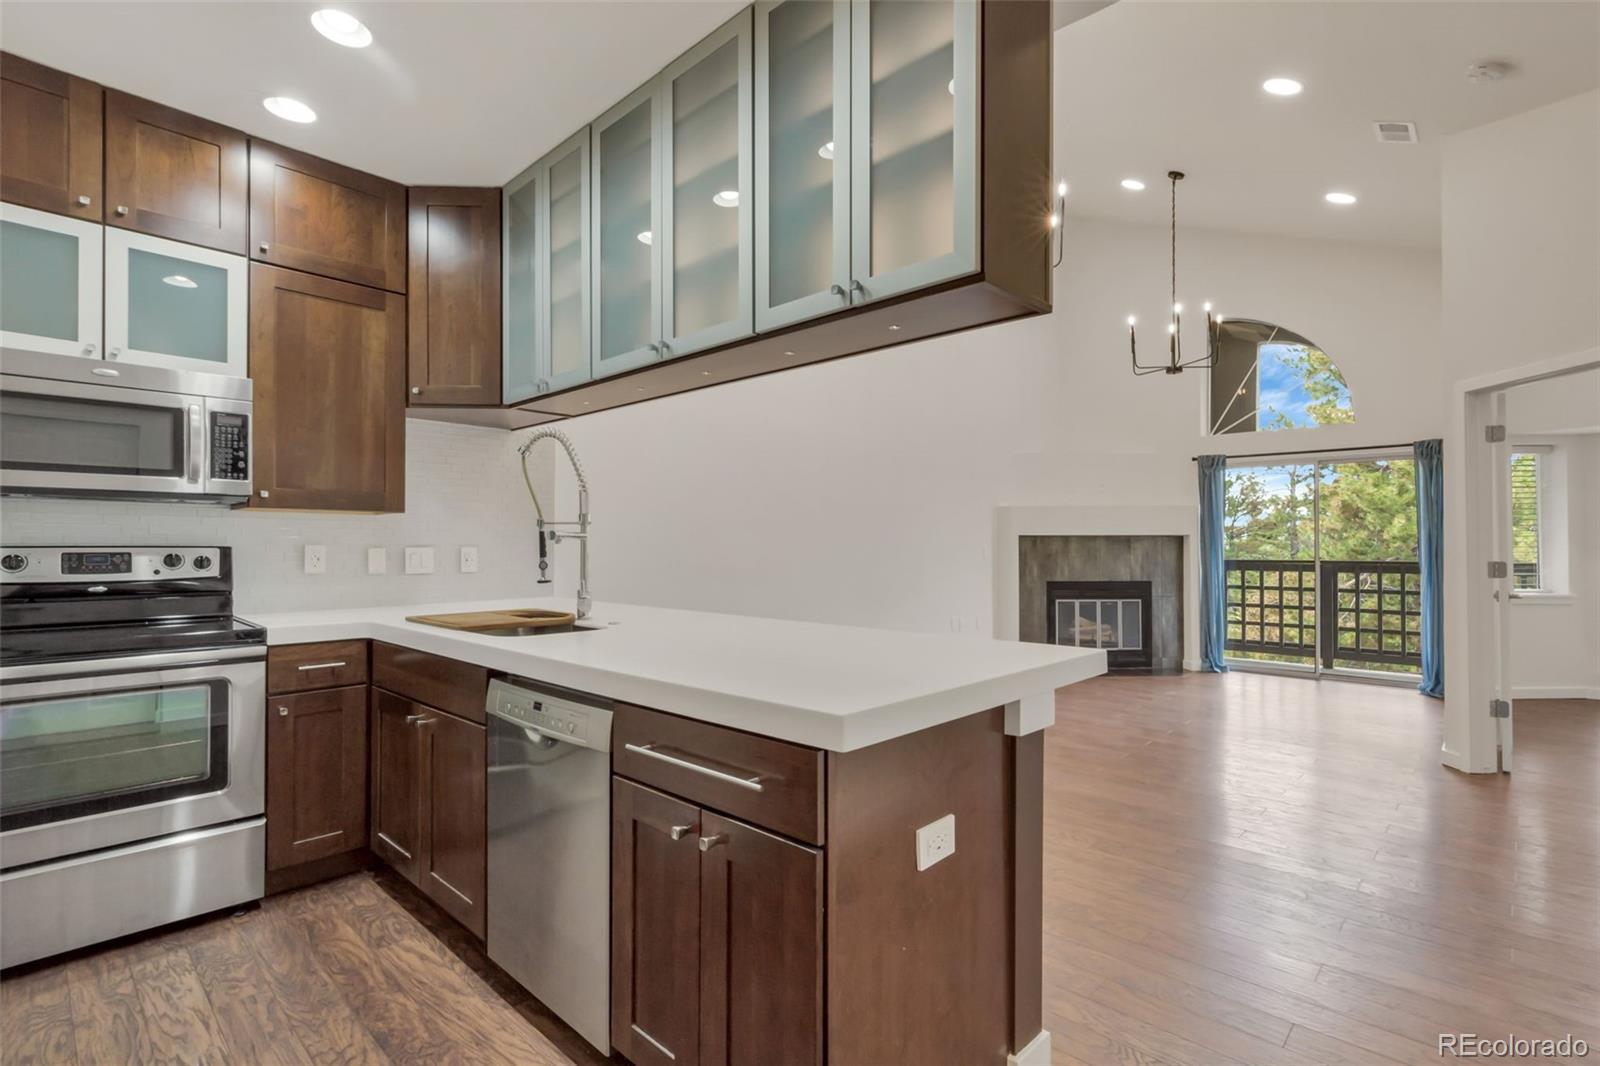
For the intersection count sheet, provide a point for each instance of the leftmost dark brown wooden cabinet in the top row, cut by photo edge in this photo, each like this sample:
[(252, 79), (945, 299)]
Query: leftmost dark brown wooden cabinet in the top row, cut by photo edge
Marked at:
[(50, 140)]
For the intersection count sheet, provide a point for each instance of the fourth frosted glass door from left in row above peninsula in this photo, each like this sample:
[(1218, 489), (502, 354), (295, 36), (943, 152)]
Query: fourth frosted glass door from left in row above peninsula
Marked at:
[(706, 249)]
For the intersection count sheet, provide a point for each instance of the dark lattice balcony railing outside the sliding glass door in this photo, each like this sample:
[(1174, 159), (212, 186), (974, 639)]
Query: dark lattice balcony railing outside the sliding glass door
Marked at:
[(1369, 614)]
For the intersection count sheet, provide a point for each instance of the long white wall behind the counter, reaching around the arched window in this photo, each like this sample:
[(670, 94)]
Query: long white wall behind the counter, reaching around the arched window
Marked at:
[(865, 489)]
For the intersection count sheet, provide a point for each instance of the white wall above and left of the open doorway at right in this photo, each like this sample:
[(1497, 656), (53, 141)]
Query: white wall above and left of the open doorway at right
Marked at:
[(1521, 266)]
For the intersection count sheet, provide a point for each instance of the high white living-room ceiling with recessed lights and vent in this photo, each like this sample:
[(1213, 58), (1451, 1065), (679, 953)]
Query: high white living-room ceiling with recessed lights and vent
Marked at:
[(1145, 87)]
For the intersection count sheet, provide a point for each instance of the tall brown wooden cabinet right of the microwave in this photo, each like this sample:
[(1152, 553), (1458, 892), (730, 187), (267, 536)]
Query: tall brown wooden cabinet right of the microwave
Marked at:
[(329, 367)]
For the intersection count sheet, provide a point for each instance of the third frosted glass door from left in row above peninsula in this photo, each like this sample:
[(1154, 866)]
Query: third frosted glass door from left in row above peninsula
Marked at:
[(626, 230)]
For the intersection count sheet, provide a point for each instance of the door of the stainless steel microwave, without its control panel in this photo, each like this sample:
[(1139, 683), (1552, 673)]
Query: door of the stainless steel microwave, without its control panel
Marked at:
[(74, 438)]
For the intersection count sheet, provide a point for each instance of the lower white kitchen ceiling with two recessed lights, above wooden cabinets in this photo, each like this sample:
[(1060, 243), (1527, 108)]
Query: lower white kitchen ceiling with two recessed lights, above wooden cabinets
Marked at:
[(449, 94)]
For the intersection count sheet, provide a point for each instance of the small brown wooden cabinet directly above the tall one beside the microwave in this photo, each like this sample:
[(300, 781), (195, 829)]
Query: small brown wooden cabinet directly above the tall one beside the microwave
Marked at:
[(318, 217)]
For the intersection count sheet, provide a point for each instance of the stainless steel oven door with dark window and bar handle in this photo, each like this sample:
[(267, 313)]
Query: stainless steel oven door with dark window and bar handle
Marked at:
[(129, 750)]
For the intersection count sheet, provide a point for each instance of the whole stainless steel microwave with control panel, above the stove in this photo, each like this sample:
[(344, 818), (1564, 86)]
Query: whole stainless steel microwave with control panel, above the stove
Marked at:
[(84, 428)]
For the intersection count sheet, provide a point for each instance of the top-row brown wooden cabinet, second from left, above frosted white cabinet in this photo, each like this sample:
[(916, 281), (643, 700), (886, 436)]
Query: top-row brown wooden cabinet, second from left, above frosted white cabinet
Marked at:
[(174, 175)]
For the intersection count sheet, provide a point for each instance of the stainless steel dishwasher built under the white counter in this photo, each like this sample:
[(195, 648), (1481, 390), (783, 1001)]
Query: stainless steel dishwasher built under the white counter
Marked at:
[(550, 812)]
